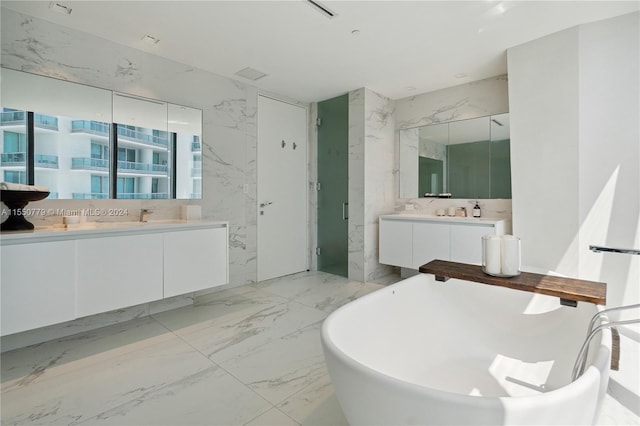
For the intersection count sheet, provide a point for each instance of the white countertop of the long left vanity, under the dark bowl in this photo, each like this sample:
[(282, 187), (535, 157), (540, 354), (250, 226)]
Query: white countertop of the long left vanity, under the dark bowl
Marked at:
[(102, 229)]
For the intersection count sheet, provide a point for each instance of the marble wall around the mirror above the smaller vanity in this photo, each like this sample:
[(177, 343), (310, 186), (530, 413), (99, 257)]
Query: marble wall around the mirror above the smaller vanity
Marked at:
[(471, 100)]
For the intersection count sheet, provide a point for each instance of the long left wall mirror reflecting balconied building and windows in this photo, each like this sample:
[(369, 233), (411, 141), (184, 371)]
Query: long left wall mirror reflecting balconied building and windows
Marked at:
[(91, 143)]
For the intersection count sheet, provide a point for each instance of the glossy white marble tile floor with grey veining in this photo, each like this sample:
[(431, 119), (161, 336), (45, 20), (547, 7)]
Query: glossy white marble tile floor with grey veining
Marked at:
[(250, 355)]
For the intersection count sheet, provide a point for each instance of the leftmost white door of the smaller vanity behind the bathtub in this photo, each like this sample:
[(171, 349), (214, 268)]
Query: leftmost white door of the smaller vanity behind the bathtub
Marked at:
[(396, 238)]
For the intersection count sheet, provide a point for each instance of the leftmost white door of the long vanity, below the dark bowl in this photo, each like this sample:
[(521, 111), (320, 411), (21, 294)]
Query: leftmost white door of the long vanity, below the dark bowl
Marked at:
[(38, 286)]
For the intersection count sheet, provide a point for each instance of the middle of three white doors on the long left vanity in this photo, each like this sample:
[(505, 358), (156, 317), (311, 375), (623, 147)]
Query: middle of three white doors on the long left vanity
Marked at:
[(115, 272)]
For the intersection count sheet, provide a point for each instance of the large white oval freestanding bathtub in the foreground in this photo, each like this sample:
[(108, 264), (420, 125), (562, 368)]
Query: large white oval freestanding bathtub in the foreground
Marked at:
[(423, 352)]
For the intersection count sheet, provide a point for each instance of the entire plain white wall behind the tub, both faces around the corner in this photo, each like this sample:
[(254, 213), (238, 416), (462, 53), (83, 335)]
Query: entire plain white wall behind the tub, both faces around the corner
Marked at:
[(575, 152)]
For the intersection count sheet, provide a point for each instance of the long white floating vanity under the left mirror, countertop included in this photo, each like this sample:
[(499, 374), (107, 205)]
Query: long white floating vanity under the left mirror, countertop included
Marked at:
[(51, 276)]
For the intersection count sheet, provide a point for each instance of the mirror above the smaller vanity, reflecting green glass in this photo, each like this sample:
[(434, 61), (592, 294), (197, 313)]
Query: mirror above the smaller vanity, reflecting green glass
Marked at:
[(466, 159)]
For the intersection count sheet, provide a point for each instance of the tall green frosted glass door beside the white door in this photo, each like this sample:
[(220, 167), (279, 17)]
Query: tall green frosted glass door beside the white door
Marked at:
[(333, 178)]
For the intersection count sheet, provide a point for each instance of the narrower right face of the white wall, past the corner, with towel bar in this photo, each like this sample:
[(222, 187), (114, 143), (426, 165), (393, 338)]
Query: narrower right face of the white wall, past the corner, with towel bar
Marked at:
[(609, 154)]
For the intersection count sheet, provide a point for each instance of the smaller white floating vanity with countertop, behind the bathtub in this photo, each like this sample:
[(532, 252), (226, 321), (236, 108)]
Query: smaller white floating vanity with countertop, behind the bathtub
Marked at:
[(410, 241)]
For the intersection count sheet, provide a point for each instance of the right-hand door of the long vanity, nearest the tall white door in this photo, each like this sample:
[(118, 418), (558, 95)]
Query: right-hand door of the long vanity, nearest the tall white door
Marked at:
[(195, 260)]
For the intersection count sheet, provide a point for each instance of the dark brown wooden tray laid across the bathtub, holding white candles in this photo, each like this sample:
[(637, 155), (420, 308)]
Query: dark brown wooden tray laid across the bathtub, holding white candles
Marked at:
[(569, 290)]
